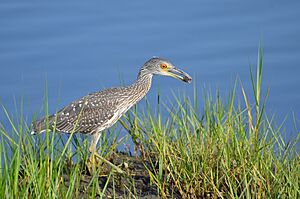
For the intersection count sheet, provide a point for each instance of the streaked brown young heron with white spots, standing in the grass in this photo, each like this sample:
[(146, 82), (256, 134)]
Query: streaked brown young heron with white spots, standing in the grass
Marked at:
[(98, 111)]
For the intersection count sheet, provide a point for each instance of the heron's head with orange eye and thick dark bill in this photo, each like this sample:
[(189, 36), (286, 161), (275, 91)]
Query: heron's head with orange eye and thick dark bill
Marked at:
[(160, 66)]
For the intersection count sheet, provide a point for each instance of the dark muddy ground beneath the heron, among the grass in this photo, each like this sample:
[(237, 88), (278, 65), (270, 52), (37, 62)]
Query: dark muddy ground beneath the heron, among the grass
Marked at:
[(134, 181)]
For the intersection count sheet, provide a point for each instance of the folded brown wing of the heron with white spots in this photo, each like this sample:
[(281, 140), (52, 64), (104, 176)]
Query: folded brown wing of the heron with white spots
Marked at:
[(91, 112)]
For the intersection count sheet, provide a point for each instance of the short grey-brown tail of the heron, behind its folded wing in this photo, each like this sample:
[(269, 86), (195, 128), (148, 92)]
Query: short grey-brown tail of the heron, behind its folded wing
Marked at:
[(40, 126)]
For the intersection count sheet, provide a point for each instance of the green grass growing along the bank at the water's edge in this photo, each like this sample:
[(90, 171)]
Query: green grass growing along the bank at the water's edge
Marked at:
[(230, 149)]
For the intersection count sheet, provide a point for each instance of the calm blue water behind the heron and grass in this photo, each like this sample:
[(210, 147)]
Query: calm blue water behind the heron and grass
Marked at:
[(80, 47)]
